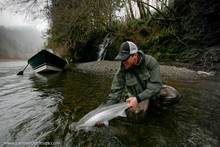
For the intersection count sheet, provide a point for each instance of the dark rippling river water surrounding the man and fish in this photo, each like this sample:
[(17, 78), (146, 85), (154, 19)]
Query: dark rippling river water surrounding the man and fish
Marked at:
[(38, 109)]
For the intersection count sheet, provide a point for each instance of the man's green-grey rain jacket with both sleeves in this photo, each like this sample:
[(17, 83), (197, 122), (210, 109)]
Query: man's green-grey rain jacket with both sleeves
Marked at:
[(143, 81)]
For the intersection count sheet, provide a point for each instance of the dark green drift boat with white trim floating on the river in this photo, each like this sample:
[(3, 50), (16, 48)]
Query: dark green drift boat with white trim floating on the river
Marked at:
[(46, 61)]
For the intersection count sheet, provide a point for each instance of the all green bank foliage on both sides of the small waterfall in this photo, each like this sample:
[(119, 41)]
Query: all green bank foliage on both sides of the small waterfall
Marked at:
[(78, 27)]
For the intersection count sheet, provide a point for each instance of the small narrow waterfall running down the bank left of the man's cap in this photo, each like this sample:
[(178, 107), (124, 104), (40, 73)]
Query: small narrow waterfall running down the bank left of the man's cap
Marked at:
[(109, 38)]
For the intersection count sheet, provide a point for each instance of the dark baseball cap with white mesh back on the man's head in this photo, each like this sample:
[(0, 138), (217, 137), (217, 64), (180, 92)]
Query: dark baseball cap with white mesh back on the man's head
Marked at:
[(126, 49)]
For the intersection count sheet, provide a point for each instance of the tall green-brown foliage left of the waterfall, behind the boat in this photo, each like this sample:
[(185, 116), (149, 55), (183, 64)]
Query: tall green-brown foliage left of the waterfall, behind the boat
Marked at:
[(78, 26)]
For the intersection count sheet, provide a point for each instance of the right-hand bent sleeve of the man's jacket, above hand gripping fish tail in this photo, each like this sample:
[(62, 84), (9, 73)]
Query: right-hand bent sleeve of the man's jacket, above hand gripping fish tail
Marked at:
[(154, 84)]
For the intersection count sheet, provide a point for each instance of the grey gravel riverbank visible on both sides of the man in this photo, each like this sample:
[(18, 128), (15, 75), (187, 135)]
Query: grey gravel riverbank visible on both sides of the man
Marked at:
[(110, 67)]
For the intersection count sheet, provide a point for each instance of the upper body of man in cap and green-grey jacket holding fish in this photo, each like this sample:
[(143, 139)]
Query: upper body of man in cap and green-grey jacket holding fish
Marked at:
[(139, 74)]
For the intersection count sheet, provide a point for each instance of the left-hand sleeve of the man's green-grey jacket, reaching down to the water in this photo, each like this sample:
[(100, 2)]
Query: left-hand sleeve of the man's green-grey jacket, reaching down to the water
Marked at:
[(117, 88)]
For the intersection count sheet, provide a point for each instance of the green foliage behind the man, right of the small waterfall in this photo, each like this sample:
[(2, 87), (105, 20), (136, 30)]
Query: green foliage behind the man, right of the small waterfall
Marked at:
[(164, 43)]
